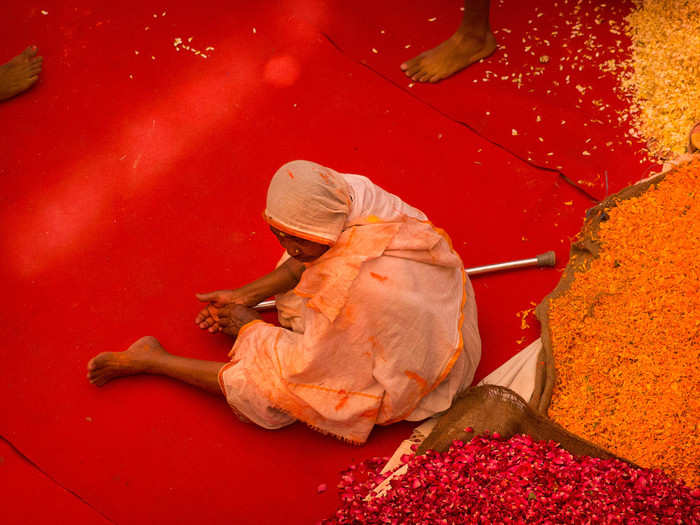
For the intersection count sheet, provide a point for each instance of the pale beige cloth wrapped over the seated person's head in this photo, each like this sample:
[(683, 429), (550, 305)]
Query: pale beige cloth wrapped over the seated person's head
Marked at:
[(309, 201)]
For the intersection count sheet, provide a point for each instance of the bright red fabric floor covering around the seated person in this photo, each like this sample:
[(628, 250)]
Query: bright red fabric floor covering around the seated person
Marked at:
[(131, 180)]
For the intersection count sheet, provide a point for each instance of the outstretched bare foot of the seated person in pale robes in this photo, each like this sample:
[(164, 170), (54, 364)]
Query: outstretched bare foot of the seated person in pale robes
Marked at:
[(137, 359)]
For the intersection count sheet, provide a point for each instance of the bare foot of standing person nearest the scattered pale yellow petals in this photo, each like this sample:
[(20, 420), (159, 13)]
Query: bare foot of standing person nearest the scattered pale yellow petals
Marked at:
[(459, 51)]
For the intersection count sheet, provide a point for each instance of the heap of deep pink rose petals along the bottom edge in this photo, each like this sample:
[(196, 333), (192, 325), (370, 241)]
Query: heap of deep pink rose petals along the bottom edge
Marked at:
[(493, 480)]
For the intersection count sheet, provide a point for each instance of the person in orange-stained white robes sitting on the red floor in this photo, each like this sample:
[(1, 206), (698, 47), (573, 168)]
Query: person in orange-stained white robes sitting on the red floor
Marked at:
[(378, 317)]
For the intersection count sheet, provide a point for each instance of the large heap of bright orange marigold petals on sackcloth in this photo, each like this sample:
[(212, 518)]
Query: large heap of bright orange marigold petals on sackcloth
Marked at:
[(626, 335)]
